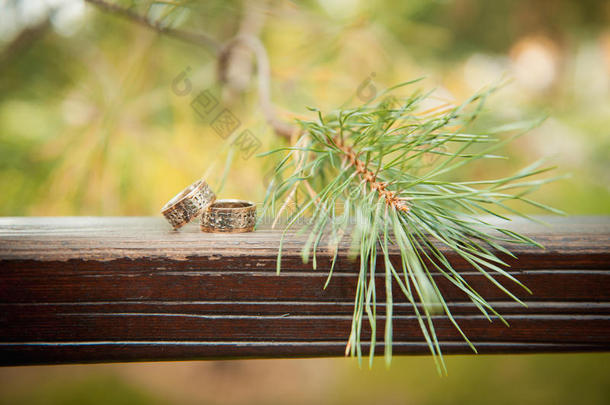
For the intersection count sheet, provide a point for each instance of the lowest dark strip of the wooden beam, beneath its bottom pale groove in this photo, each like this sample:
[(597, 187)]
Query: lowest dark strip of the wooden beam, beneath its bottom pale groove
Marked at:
[(32, 353)]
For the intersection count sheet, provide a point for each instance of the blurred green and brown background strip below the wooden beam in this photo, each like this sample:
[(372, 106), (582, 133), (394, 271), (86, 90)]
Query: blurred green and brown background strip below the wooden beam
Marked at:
[(561, 379)]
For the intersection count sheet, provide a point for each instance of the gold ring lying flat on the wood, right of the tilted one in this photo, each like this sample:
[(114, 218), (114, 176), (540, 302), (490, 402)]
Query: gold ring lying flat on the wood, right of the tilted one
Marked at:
[(231, 216)]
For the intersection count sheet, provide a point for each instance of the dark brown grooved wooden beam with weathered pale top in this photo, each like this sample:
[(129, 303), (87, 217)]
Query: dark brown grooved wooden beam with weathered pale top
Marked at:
[(80, 289)]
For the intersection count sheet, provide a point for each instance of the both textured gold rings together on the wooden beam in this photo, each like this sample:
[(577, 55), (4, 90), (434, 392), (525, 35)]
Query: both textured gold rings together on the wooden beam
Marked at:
[(199, 201)]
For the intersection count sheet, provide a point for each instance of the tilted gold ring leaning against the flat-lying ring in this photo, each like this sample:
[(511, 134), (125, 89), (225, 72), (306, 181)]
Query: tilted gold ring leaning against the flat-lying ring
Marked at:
[(187, 205)]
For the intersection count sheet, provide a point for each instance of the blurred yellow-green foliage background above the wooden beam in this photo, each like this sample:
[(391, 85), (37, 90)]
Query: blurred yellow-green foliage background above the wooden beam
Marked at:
[(89, 123)]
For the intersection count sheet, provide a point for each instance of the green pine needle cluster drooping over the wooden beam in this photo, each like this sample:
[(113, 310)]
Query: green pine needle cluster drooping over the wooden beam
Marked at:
[(380, 175)]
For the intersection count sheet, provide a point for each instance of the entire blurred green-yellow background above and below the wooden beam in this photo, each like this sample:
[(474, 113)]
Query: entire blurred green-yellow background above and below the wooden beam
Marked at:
[(96, 119)]
